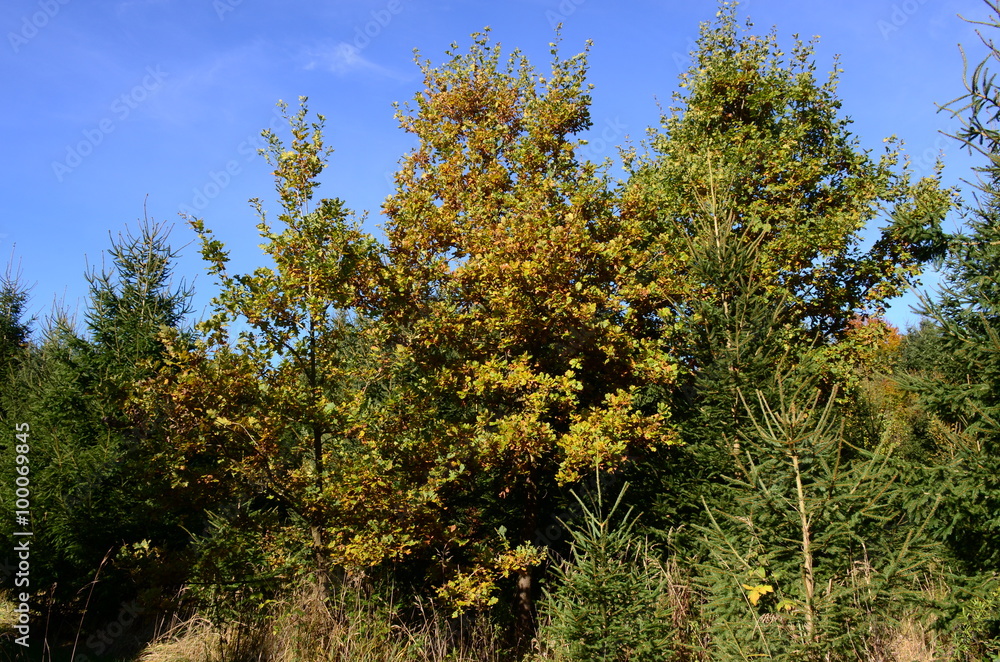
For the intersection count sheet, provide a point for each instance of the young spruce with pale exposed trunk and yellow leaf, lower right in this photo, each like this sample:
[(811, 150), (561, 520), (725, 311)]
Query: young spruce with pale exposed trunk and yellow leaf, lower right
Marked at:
[(813, 556)]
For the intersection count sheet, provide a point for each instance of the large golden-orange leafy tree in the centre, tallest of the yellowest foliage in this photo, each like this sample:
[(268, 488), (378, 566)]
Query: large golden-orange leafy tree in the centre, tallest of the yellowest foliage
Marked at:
[(506, 262)]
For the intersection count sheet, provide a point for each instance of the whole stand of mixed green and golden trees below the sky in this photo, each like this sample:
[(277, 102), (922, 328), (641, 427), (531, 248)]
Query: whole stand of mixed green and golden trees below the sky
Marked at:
[(546, 414)]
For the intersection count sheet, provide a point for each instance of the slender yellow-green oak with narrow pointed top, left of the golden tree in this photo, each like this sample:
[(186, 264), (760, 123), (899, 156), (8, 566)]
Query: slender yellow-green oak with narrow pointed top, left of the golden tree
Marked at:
[(263, 399)]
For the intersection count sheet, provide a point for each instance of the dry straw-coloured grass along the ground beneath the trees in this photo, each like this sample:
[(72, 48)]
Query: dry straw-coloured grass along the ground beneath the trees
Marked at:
[(349, 624)]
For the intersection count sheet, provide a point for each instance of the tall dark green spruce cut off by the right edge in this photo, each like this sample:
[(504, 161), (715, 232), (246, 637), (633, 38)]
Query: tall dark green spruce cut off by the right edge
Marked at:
[(956, 356)]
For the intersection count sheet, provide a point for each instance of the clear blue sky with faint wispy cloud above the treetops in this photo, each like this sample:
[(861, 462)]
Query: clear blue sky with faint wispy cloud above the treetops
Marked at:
[(113, 105)]
